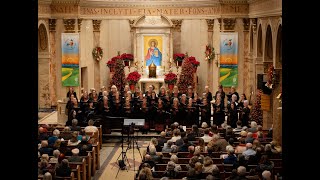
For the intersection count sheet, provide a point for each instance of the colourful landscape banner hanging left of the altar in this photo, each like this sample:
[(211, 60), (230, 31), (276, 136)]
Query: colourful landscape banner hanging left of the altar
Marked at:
[(70, 59)]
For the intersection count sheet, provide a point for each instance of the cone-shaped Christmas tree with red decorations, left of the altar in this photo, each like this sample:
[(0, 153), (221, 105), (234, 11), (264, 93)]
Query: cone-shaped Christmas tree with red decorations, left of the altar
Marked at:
[(119, 77)]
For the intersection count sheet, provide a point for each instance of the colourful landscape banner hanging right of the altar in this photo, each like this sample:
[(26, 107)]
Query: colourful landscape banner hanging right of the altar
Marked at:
[(229, 59)]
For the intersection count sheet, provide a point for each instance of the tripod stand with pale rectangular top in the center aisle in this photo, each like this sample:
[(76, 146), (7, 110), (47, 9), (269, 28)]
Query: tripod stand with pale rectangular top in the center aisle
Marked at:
[(132, 139)]
